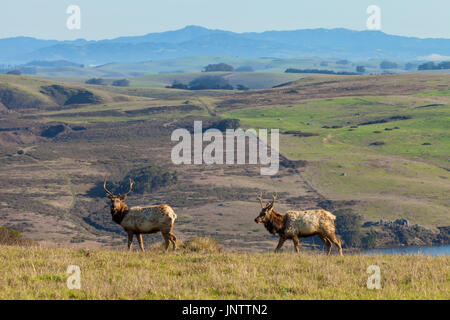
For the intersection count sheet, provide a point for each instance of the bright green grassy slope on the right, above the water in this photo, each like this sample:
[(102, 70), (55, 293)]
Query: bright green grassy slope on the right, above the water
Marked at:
[(388, 152)]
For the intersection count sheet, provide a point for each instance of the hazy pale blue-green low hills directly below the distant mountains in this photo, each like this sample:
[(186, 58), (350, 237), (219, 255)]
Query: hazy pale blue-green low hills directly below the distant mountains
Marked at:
[(194, 64)]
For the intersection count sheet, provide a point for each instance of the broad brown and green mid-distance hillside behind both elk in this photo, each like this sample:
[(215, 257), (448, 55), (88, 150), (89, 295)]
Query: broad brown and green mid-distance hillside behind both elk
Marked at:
[(332, 122)]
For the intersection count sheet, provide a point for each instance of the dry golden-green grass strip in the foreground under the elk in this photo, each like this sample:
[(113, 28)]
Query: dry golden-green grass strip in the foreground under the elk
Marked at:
[(191, 273)]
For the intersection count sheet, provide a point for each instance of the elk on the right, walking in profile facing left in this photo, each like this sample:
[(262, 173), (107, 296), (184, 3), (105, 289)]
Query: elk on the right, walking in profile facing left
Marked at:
[(298, 224)]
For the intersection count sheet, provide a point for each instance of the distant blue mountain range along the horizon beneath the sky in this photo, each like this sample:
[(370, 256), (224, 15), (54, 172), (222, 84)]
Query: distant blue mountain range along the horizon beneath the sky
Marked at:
[(194, 41)]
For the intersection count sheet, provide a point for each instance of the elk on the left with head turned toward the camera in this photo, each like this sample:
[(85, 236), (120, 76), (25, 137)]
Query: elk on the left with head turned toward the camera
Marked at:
[(142, 220)]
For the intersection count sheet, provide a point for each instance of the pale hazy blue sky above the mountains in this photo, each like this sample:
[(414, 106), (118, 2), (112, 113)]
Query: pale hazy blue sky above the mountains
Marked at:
[(101, 19)]
